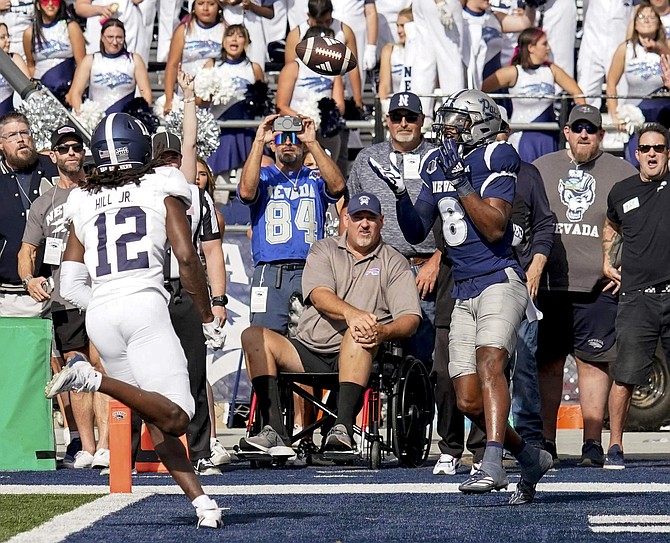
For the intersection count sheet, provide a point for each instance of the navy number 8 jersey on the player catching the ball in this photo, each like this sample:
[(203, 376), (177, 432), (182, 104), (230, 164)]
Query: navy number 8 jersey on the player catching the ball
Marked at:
[(477, 263)]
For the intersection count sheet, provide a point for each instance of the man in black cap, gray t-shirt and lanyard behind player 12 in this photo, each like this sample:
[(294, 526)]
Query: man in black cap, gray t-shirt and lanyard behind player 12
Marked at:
[(44, 228)]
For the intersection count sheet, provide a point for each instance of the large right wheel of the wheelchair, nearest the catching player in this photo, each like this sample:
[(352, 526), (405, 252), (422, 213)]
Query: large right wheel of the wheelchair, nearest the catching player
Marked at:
[(413, 412)]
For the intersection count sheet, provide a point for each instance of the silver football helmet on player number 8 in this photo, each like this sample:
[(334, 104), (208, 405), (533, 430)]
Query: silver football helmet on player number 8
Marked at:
[(473, 115)]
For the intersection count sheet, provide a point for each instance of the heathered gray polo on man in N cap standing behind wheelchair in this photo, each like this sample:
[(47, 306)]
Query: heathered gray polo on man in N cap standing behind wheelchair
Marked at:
[(362, 178)]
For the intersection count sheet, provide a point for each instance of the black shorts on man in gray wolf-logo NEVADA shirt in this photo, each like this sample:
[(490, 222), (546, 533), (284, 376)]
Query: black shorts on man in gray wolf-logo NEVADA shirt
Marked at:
[(577, 323)]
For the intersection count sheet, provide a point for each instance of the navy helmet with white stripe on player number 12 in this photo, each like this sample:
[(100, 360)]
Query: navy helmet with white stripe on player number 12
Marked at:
[(120, 142)]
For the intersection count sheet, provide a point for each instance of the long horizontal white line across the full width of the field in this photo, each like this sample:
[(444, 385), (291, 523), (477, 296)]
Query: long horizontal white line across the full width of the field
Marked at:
[(331, 489)]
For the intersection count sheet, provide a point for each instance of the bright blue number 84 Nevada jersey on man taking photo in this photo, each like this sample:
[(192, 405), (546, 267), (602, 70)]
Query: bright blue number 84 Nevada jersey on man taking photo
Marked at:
[(288, 214)]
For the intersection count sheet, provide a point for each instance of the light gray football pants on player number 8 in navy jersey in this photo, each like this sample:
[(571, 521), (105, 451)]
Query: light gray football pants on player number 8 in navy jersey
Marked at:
[(490, 320)]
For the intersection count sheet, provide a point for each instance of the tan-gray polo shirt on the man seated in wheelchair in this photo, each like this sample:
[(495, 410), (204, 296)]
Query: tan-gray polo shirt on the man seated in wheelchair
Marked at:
[(381, 283)]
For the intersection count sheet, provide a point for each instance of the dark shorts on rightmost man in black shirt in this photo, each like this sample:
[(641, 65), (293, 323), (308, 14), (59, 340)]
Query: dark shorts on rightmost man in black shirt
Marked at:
[(641, 321)]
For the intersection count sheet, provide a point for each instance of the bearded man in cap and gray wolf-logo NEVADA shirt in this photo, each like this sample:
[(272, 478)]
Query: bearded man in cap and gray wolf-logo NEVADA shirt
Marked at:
[(577, 300)]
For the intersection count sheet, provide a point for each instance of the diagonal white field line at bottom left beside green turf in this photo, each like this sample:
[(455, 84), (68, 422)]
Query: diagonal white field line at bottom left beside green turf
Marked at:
[(62, 526)]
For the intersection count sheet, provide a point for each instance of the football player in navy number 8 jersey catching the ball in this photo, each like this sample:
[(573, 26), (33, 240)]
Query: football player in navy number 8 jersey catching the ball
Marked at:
[(469, 181)]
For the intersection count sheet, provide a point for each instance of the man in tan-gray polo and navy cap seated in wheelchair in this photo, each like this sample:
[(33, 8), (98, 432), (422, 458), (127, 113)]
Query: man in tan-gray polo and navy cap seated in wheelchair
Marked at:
[(359, 292)]
